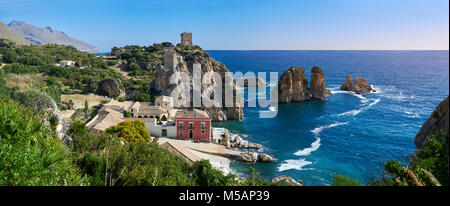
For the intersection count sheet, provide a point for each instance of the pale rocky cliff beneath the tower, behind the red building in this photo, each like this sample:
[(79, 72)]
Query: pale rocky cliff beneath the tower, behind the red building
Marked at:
[(161, 83)]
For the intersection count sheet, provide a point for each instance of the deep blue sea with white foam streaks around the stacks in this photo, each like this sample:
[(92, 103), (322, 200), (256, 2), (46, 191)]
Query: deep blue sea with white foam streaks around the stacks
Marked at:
[(347, 134)]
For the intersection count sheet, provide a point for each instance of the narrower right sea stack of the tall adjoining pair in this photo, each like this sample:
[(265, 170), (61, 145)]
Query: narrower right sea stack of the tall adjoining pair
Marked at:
[(318, 86)]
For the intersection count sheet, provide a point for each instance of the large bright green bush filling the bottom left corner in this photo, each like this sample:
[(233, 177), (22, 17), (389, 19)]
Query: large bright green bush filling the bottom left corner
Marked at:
[(31, 154)]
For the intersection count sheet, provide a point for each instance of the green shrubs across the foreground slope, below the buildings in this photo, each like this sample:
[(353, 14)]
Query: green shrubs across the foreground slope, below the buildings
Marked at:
[(32, 154)]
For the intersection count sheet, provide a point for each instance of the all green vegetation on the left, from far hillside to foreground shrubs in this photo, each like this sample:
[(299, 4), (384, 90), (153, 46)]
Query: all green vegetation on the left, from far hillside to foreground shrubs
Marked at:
[(31, 152)]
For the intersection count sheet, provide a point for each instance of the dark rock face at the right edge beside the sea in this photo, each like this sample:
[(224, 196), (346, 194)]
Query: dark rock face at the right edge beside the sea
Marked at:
[(438, 120)]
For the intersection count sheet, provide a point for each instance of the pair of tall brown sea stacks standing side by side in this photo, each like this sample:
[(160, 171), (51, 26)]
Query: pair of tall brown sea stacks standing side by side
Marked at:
[(293, 86)]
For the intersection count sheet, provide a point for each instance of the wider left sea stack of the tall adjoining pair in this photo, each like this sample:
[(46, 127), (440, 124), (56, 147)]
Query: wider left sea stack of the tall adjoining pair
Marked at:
[(293, 86)]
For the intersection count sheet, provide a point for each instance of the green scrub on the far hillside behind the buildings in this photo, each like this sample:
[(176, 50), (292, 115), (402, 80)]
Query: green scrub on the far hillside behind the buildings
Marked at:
[(33, 59)]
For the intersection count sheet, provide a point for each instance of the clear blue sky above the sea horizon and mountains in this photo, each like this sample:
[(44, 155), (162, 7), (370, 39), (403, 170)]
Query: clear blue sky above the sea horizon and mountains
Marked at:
[(244, 24)]
